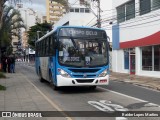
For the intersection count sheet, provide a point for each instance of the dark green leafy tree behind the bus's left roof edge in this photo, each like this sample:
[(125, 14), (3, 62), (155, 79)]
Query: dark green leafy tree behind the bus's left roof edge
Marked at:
[(43, 28)]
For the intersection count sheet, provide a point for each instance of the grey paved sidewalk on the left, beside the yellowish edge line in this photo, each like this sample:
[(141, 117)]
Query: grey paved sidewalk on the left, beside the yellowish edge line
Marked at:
[(21, 95)]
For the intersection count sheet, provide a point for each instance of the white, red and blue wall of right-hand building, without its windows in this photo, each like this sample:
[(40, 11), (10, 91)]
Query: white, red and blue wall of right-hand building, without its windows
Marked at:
[(142, 27)]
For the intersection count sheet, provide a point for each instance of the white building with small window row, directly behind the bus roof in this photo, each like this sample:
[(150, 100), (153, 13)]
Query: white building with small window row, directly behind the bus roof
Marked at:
[(87, 16)]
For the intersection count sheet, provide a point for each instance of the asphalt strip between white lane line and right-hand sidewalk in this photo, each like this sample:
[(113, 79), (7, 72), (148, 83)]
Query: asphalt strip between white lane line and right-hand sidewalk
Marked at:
[(147, 94)]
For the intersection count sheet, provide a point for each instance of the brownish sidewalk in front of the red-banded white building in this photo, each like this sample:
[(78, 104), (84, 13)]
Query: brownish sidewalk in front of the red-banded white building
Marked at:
[(150, 82)]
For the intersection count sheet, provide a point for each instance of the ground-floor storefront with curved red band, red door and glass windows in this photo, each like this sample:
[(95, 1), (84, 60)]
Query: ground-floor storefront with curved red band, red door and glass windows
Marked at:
[(138, 58)]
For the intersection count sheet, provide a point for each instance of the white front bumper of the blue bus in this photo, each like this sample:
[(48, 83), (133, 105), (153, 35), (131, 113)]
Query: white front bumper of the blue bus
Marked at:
[(63, 81)]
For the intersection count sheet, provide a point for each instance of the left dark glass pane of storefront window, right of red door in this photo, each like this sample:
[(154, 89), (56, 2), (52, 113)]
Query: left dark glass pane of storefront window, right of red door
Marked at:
[(147, 58)]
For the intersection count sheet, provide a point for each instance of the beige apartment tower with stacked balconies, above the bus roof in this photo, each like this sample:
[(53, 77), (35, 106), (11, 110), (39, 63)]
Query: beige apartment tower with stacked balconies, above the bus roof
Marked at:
[(54, 11)]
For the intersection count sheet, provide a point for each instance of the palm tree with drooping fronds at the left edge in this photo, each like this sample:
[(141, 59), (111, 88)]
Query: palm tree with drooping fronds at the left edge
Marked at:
[(12, 21)]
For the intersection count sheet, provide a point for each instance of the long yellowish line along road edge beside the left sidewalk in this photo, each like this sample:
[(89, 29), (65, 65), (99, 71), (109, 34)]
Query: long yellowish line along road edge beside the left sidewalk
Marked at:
[(50, 101)]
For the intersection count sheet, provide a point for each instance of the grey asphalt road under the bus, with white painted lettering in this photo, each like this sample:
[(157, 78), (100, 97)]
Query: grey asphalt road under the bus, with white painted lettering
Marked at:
[(115, 97)]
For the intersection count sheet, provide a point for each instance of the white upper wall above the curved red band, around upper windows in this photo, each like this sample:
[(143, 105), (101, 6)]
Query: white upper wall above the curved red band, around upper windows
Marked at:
[(139, 27)]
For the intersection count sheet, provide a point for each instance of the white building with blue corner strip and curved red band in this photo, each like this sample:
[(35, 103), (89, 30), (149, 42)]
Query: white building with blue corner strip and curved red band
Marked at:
[(136, 37)]
